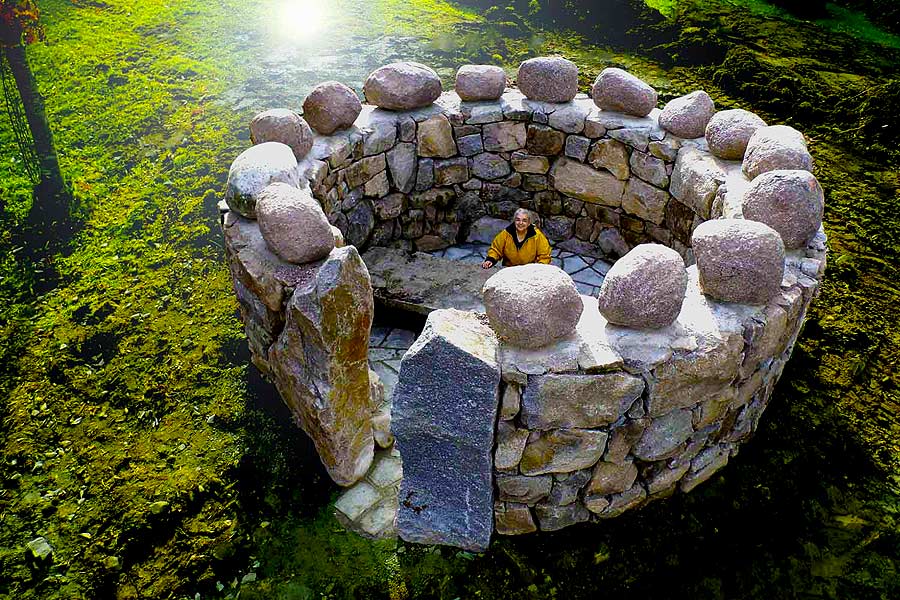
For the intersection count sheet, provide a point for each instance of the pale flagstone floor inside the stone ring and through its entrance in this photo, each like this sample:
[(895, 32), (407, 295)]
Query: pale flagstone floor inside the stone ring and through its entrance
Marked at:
[(369, 507)]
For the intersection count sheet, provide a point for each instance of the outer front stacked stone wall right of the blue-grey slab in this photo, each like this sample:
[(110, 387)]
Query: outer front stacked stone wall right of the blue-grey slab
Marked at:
[(613, 418)]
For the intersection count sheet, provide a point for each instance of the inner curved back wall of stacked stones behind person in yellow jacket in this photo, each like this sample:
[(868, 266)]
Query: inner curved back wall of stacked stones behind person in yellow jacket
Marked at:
[(598, 181)]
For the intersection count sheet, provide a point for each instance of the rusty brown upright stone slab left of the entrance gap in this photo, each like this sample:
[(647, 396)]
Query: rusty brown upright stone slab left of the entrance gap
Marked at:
[(320, 361)]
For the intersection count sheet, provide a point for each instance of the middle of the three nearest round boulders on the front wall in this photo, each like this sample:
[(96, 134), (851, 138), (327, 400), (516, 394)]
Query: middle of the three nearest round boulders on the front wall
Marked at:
[(645, 288)]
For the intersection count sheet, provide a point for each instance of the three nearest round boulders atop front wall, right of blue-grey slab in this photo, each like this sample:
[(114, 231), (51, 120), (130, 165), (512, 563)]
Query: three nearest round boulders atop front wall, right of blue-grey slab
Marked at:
[(738, 260)]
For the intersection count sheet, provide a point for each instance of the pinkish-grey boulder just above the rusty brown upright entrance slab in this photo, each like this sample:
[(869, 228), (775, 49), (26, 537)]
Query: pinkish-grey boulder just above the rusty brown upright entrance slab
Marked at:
[(292, 224)]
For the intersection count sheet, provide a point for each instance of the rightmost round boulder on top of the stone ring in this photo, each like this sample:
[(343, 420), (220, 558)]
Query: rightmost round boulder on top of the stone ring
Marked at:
[(789, 201)]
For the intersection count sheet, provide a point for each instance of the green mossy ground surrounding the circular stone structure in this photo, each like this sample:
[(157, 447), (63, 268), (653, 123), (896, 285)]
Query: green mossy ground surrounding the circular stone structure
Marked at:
[(137, 440)]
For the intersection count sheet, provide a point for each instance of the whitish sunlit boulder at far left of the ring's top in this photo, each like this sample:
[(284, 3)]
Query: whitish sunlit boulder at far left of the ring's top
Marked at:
[(254, 169)]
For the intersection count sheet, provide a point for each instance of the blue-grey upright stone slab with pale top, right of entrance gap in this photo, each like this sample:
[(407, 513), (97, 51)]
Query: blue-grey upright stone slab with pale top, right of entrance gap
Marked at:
[(445, 406)]
